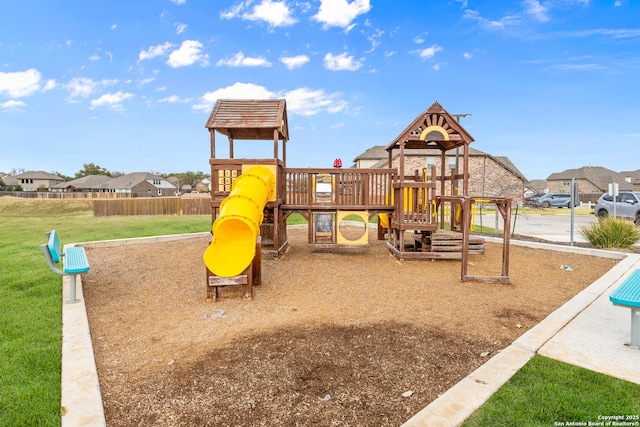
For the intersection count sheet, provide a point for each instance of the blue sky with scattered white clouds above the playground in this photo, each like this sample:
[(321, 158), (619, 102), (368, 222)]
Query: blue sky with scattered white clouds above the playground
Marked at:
[(129, 85)]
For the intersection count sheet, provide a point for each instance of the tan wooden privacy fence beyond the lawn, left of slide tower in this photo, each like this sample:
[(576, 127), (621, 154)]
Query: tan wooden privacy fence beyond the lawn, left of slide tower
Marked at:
[(153, 206)]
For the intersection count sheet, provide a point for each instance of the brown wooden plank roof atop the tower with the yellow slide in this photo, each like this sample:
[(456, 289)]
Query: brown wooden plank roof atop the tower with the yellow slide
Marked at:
[(250, 118)]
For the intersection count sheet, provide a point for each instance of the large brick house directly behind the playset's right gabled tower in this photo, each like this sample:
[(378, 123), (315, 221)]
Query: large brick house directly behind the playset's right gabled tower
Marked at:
[(494, 176)]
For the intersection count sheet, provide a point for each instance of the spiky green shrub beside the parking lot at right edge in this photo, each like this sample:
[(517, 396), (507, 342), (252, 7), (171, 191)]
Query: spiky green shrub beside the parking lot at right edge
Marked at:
[(612, 233)]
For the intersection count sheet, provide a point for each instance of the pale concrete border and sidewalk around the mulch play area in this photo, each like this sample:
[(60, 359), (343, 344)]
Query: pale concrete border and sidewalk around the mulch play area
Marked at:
[(587, 331)]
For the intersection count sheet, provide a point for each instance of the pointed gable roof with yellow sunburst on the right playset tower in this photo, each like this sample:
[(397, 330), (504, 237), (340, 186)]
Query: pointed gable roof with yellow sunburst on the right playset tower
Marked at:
[(434, 128)]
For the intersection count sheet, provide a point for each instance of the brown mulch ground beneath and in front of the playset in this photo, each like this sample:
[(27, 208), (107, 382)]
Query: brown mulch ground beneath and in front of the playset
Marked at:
[(329, 339)]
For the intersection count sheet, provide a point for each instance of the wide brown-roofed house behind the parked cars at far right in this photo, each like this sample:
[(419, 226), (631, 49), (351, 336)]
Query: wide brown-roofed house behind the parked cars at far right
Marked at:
[(590, 179)]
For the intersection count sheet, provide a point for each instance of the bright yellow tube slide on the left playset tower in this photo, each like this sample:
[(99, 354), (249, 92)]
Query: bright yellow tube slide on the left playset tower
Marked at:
[(238, 223)]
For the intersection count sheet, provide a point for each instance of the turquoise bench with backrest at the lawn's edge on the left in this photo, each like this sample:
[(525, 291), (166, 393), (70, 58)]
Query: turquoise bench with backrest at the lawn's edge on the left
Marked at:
[(73, 261)]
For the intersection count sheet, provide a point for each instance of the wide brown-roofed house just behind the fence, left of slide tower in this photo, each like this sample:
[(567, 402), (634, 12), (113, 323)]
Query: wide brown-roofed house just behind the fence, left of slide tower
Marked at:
[(140, 184)]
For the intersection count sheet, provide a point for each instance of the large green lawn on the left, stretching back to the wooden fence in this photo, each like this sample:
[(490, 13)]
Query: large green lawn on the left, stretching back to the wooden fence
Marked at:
[(31, 296)]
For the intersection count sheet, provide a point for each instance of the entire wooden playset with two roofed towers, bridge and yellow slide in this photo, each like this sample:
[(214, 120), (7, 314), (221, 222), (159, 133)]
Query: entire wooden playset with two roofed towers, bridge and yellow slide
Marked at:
[(422, 215)]
